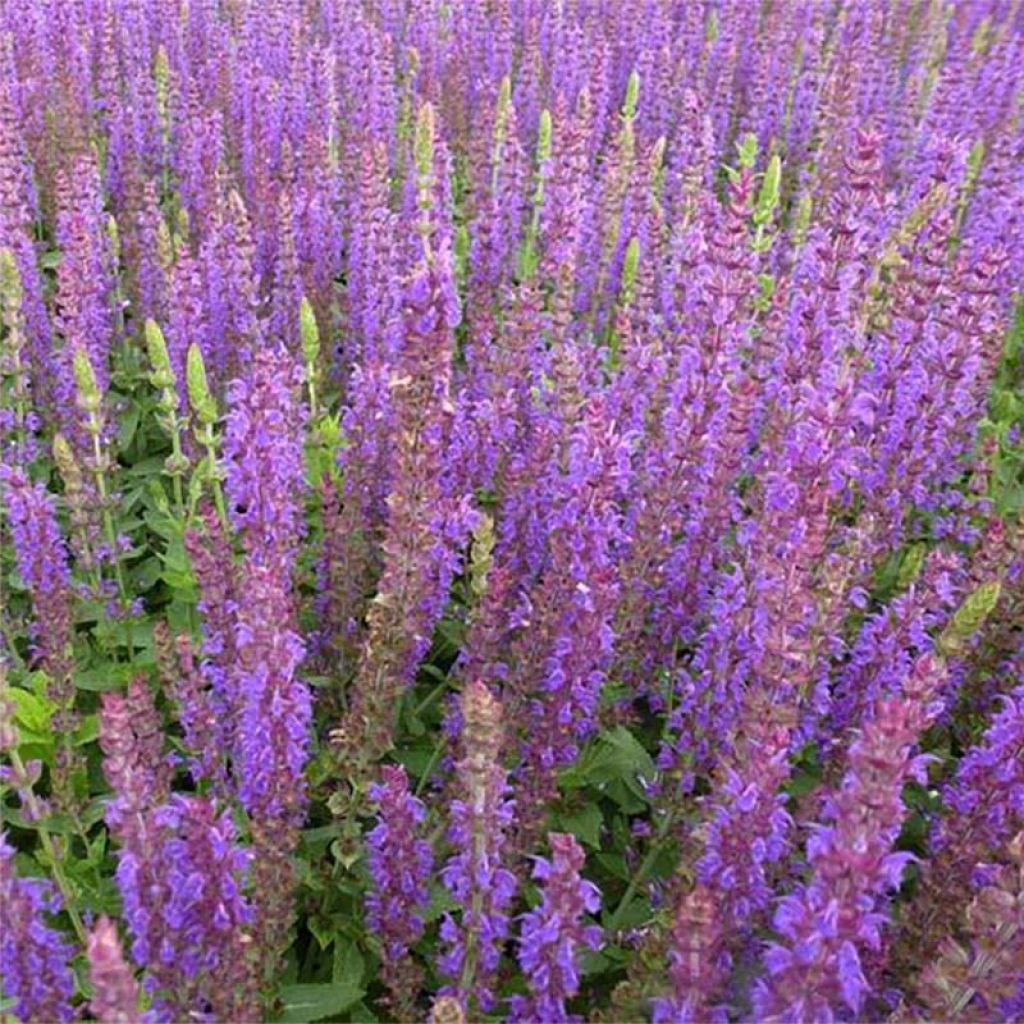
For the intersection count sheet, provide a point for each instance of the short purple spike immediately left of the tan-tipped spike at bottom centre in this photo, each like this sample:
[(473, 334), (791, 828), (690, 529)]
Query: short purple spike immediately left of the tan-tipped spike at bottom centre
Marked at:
[(401, 866)]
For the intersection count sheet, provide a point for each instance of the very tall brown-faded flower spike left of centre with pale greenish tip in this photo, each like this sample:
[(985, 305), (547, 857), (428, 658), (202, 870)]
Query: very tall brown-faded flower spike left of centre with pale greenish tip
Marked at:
[(425, 525)]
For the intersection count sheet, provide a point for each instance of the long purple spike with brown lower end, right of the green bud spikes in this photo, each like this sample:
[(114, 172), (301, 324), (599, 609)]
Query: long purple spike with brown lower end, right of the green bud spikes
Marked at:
[(264, 447)]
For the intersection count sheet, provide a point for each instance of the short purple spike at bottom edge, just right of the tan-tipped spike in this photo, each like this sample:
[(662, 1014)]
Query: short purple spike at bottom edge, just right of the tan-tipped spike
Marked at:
[(553, 935)]
